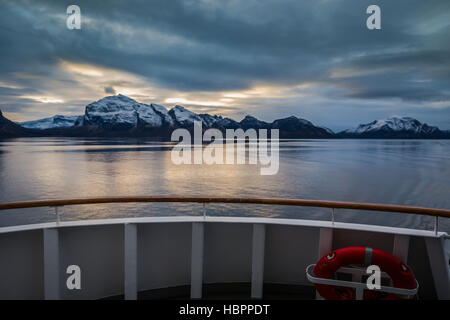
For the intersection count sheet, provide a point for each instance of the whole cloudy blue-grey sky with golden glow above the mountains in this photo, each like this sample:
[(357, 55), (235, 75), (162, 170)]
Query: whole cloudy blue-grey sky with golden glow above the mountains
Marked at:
[(314, 59)]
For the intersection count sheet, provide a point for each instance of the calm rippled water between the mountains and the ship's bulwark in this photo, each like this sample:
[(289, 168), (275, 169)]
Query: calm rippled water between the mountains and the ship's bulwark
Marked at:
[(409, 172)]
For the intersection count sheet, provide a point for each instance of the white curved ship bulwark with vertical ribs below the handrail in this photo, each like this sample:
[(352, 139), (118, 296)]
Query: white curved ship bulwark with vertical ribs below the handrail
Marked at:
[(199, 257)]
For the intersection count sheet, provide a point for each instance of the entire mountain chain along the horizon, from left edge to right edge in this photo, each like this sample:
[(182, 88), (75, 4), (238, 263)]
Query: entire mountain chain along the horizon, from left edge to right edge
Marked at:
[(122, 116)]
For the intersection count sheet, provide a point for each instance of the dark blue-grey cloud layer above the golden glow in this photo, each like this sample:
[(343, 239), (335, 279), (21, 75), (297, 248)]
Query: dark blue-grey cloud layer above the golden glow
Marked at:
[(233, 45)]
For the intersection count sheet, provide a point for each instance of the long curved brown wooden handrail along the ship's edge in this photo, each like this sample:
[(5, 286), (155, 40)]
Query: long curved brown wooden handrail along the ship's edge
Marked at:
[(268, 201)]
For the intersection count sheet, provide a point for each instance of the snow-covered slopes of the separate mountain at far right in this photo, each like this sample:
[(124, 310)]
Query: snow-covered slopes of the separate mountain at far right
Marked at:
[(394, 124)]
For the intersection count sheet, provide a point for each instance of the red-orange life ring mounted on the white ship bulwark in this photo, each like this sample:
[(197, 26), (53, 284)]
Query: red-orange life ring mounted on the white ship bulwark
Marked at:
[(400, 273)]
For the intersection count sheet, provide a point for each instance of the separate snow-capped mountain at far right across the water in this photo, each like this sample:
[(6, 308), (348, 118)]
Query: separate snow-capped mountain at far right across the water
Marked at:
[(395, 127)]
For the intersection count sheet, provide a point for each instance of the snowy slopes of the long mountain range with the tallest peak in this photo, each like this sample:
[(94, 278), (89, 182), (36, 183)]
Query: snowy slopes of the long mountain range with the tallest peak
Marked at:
[(120, 112)]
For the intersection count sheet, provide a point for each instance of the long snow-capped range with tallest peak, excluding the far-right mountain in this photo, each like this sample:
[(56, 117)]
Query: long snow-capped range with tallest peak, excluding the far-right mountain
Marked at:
[(121, 115)]
